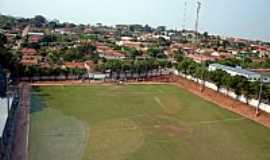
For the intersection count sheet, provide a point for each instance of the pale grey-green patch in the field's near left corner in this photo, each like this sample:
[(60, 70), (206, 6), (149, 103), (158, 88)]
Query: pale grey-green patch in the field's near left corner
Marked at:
[(54, 135)]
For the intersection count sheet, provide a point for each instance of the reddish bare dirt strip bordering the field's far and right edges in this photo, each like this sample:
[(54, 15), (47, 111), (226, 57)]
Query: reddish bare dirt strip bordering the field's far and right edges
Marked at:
[(208, 94)]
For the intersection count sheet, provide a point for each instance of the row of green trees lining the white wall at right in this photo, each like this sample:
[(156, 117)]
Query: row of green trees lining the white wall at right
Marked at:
[(238, 84)]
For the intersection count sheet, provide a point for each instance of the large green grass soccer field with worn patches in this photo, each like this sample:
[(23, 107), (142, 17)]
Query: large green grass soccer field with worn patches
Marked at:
[(139, 122)]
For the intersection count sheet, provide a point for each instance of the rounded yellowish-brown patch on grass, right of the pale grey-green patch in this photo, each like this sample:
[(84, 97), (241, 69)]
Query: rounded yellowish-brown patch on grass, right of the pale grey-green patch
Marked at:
[(114, 139)]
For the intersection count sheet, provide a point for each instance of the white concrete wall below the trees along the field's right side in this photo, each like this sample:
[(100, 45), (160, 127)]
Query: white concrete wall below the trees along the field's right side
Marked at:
[(251, 102)]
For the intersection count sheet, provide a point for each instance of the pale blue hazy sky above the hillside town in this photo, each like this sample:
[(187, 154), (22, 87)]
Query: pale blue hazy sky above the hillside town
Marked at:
[(236, 18)]
